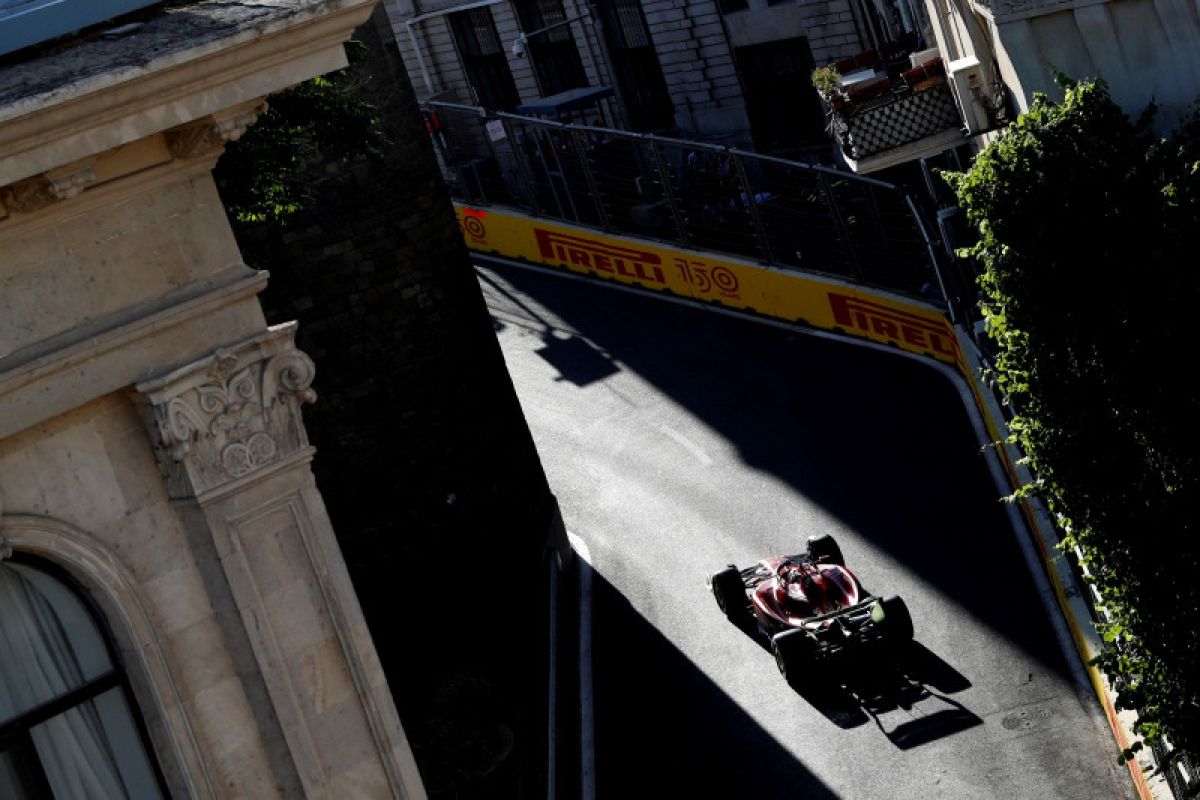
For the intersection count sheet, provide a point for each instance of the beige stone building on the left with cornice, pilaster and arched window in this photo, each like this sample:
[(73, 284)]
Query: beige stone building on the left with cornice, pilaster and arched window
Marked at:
[(177, 613)]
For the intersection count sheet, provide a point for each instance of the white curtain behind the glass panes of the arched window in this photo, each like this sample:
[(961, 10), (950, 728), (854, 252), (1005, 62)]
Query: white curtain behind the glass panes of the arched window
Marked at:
[(40, 664)]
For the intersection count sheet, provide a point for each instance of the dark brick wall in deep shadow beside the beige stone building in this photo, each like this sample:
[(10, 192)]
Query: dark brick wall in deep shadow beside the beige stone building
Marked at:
[(424, 456)]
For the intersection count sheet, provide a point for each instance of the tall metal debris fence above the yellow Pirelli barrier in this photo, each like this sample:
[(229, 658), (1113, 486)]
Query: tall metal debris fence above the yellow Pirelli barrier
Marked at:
[(697, 195)]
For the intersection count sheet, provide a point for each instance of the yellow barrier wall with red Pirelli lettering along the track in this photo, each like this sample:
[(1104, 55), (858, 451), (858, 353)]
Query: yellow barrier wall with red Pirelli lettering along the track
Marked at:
[(823, 303)]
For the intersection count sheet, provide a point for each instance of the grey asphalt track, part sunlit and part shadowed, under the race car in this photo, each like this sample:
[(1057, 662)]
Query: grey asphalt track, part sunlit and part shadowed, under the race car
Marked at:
[(680, 441)]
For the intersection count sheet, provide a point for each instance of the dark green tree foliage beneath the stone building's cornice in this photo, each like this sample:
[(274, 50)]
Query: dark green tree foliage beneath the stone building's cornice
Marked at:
[(271, 172)]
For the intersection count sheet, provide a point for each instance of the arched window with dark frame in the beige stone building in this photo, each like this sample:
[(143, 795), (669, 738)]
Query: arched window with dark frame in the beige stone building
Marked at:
[(68, 726)]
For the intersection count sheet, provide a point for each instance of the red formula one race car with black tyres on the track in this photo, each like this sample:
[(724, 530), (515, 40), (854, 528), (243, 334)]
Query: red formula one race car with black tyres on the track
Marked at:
[(812, 609)]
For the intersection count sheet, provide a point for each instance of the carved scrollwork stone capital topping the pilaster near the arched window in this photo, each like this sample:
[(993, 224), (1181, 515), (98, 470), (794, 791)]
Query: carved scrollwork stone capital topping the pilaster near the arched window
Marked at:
[(230, 416)]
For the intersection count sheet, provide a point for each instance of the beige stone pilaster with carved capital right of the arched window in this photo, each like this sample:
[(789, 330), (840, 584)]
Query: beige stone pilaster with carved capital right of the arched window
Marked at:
[(233, 452)]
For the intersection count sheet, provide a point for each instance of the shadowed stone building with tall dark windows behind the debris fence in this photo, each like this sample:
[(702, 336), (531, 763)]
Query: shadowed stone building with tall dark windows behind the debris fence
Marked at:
[(733, 71)]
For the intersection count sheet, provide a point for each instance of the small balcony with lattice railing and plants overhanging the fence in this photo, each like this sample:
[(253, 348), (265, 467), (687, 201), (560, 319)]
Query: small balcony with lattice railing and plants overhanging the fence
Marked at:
[(884, 115)]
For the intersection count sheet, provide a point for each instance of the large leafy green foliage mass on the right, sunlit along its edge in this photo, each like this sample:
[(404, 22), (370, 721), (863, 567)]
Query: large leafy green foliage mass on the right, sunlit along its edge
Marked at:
[(1089, 233)]
